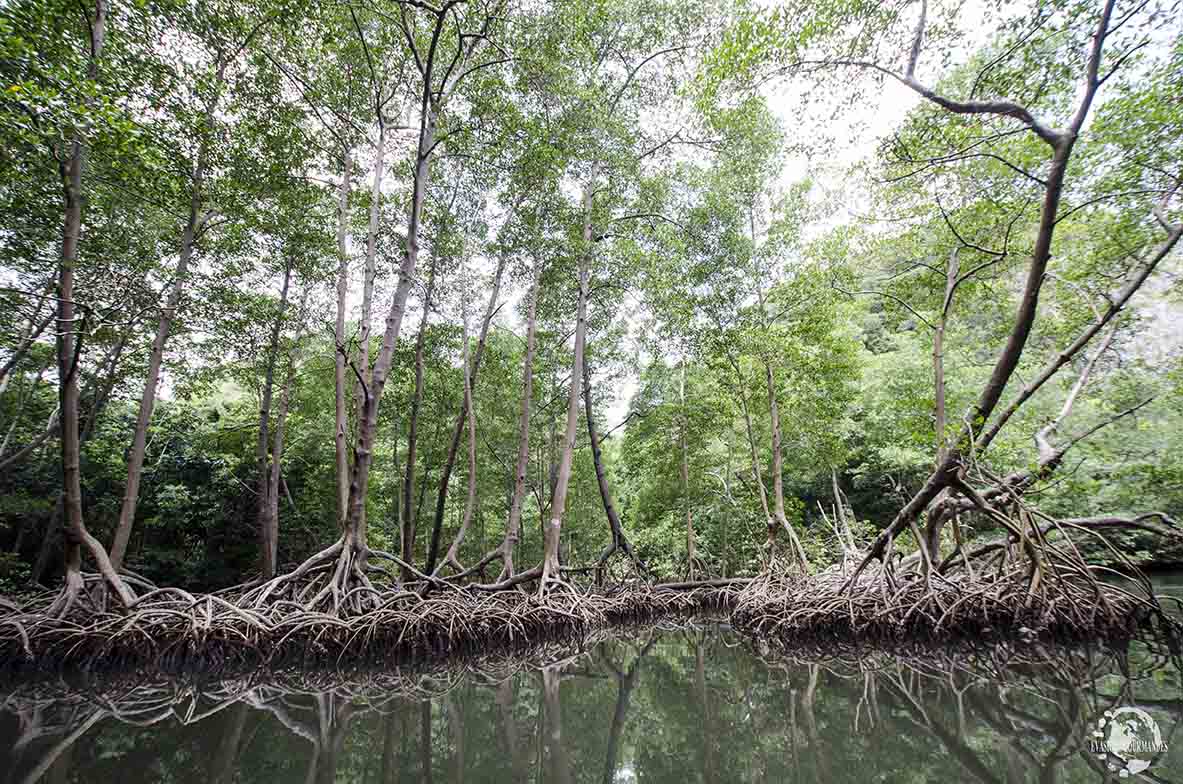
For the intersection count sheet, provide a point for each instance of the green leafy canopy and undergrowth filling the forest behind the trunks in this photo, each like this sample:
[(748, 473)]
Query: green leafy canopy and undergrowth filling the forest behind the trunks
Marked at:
[(637, 140)]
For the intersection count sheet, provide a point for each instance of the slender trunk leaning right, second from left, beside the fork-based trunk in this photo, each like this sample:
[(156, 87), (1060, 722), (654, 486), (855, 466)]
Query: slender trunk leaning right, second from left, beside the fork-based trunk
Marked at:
[(164, 327)]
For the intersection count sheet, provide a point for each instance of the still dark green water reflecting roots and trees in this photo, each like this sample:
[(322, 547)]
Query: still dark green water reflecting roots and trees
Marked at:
[(675, 705)]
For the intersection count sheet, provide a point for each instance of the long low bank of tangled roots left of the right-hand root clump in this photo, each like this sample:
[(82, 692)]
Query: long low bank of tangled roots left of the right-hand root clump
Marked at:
[(176, 631)]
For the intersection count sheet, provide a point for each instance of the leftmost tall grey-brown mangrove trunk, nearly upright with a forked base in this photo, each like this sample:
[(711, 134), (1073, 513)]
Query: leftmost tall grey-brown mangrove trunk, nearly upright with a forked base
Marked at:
[(69, 349)]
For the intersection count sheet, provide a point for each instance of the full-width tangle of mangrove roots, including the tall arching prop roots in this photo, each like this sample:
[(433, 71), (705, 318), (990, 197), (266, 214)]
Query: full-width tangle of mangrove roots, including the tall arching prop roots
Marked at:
[(347, 604)]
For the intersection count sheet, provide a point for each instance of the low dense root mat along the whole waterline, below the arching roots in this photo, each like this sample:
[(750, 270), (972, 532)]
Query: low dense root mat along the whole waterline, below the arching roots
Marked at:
[(177, 631)]
